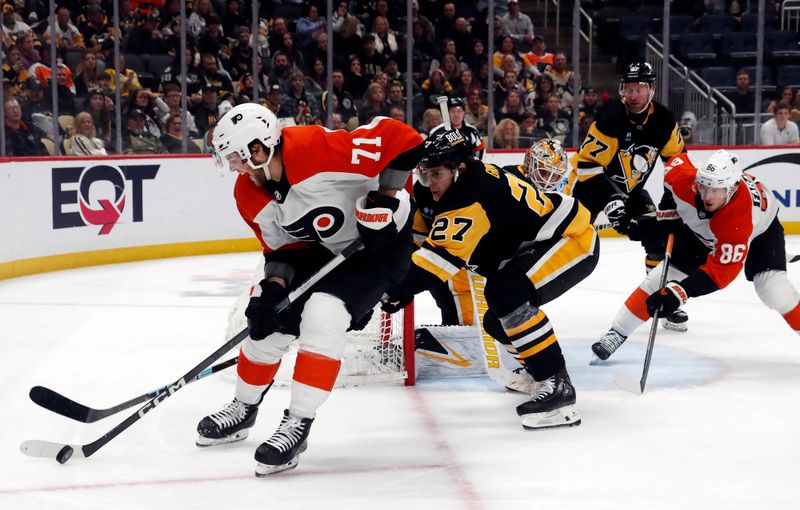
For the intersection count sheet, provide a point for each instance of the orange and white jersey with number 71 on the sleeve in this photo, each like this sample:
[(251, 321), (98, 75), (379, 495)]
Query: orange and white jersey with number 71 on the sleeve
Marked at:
[(324, 173)]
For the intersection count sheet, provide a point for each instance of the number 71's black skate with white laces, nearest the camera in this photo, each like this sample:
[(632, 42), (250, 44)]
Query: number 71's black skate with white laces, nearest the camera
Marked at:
[(282, 451)]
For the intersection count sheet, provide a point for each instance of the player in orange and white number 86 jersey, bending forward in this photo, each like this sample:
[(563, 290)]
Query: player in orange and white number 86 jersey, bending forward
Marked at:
[(729, 223)]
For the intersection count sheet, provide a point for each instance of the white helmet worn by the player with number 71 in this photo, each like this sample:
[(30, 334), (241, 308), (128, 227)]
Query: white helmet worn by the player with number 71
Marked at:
[(238, 128)]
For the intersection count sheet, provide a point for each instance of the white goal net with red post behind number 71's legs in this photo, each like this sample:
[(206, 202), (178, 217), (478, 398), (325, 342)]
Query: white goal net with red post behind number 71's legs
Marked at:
[(381, 352)]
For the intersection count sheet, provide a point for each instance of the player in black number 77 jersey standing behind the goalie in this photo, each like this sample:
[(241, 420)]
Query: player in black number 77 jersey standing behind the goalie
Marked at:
[(617, 157)]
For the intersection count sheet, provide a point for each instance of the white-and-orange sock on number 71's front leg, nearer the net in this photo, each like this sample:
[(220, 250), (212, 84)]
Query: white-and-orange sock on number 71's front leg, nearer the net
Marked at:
[(325, 320)]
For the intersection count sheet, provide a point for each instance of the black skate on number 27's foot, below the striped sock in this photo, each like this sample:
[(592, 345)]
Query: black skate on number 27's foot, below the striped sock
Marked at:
[(551, 405)]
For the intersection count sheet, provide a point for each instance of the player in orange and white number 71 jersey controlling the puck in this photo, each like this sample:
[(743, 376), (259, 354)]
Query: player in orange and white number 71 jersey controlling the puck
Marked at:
[(307, 193)]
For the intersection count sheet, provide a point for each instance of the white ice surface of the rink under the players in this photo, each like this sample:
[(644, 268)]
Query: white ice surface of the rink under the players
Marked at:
[(717, 428)]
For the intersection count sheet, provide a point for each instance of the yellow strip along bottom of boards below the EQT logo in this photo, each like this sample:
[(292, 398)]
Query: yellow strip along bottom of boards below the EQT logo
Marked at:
[(48, 263)]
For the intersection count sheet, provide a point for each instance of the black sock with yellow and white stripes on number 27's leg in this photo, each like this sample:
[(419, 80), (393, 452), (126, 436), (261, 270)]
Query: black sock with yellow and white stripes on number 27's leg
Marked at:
[(533, 337)]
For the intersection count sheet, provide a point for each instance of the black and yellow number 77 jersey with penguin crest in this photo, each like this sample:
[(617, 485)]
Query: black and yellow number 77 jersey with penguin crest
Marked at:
[(625, 148)]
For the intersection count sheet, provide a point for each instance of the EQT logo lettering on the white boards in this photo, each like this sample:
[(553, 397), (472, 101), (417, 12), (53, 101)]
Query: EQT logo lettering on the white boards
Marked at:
[(97, 195)]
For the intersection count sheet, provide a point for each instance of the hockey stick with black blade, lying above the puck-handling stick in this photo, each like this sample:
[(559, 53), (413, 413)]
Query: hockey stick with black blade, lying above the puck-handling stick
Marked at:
[(59, 404)]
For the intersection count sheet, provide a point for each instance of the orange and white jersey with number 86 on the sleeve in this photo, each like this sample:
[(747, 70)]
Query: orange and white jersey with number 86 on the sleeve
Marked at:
[(728, 231)]
